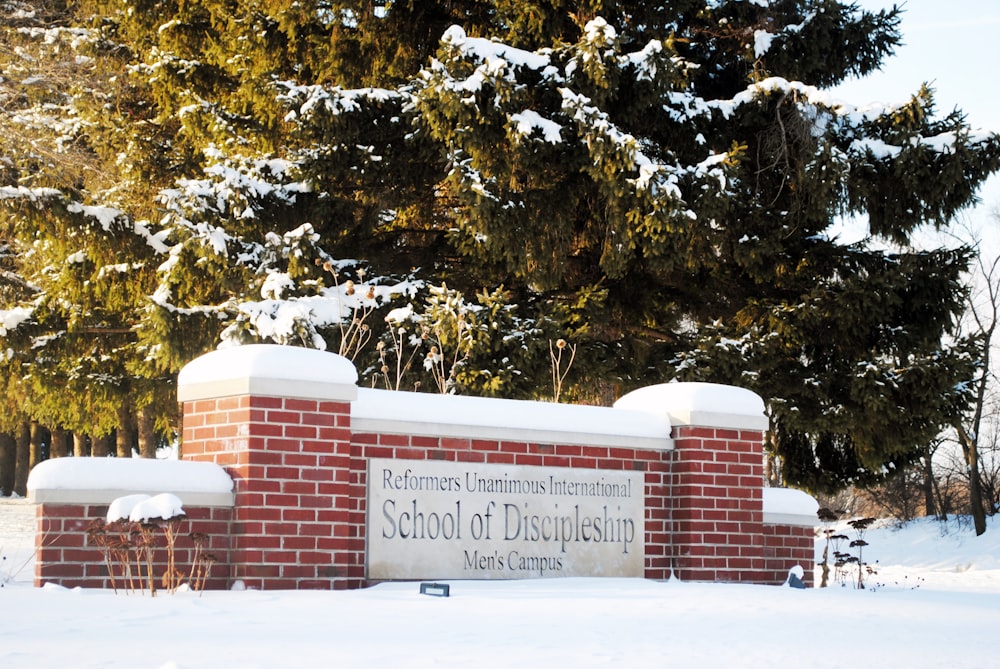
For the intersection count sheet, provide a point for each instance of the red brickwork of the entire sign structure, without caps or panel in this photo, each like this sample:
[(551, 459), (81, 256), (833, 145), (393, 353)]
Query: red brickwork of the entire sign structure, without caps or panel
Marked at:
[(300, 494)]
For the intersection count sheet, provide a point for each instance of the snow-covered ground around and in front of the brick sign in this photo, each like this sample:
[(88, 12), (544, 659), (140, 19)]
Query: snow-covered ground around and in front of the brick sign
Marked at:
[(934, 603)]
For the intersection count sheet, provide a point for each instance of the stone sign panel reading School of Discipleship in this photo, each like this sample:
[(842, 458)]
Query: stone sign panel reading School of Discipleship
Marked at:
[(451, 520)]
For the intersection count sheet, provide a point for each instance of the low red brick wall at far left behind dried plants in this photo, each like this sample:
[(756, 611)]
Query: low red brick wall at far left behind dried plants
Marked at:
[(67, 557)]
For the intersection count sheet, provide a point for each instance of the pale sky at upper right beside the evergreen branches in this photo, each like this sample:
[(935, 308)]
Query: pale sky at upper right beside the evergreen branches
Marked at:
[(954, 45)]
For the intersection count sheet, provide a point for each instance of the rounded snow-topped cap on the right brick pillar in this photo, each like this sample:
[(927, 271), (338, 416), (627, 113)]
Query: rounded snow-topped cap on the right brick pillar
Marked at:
[(701, 404)]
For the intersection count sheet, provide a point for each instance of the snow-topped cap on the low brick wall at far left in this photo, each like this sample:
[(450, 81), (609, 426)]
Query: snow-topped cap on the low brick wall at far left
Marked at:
[(73, 480)]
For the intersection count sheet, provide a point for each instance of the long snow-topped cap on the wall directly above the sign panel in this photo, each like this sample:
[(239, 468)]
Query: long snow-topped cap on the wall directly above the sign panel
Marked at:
[(401, 412)]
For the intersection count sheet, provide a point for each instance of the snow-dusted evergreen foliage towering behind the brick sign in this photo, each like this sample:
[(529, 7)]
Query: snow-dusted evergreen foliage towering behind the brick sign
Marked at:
[(658, 183)]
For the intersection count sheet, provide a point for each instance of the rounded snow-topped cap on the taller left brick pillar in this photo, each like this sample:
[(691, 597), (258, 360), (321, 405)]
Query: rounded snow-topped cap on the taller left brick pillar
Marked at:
[(268, 370)]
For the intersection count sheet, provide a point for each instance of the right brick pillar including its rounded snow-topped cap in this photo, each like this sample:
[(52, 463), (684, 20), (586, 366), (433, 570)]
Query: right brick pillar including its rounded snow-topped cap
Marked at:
[(716, 479)]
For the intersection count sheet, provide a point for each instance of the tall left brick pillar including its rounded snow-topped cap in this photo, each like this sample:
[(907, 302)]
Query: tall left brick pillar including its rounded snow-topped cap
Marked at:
[(279, 420)]
